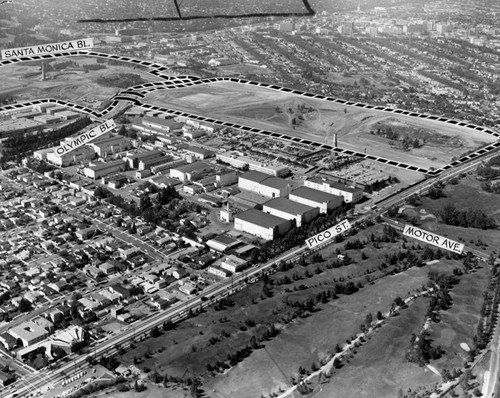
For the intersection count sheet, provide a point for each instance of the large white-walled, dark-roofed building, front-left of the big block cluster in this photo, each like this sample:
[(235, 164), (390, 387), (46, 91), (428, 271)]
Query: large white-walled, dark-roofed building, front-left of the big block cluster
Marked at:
[(263, 225)]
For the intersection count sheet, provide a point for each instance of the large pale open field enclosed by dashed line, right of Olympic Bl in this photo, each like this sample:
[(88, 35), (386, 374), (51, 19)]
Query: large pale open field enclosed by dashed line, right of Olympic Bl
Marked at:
[(270, 109)]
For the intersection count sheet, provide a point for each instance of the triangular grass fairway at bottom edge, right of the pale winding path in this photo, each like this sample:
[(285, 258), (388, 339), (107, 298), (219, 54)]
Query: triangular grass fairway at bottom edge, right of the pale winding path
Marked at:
[(380, 369)]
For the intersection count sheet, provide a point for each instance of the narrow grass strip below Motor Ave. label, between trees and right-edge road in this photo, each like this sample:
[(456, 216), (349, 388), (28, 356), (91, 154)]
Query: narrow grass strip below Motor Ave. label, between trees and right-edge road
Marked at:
[(459, 323)]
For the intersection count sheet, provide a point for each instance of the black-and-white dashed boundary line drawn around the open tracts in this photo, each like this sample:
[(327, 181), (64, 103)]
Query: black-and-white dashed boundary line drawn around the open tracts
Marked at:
[(136, 94)]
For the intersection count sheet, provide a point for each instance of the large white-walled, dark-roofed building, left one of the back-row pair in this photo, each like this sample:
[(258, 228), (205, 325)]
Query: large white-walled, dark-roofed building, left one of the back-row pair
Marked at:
[(263, 184)]
